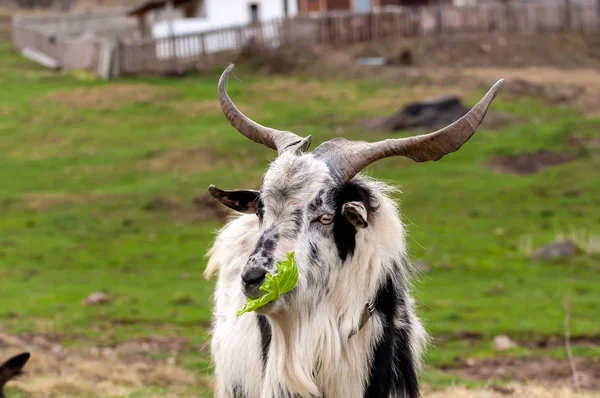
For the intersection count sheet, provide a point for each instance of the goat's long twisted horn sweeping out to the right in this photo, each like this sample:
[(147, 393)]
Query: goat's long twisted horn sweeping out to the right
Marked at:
[(347, 158)]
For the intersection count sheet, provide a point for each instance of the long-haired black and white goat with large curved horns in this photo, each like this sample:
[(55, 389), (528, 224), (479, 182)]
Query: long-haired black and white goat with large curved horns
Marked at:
[(349, 328)]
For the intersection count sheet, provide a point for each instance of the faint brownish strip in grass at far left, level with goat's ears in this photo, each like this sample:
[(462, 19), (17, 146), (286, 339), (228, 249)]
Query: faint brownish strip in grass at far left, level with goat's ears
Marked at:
[(45, 201)]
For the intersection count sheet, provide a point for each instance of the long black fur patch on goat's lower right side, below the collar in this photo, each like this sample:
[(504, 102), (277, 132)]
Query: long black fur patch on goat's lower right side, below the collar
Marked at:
[(392, 370)]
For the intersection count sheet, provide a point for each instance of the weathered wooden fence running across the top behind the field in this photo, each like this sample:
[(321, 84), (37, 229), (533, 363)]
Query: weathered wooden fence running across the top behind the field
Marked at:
[(141, 55)]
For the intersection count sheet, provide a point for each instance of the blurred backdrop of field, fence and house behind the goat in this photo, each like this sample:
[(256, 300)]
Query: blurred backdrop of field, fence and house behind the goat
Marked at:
[(111, 132)]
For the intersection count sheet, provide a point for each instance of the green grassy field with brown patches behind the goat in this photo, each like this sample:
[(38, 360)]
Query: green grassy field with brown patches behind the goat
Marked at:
[(98, 188)]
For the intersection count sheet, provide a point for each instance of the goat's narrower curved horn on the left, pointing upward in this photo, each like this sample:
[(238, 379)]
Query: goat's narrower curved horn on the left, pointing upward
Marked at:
[(271, 138)]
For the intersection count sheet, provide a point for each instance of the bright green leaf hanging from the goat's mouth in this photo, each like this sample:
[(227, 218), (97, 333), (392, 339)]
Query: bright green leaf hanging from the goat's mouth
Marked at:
[(275, 285)]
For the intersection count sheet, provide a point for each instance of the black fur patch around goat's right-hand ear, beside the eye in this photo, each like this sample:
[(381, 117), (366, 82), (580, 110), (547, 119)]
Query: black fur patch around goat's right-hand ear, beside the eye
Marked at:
[(344, 233)]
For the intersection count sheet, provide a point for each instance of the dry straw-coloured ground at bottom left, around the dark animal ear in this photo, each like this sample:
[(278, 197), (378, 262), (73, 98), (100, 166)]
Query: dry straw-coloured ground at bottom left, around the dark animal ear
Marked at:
[(54, 370)]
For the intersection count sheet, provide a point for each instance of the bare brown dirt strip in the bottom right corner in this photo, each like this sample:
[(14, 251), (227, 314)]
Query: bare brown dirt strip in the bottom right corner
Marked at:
[(541, 369)]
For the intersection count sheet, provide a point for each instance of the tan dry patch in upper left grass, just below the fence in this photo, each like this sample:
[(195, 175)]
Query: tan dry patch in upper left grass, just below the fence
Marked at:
[(112, 96)]
